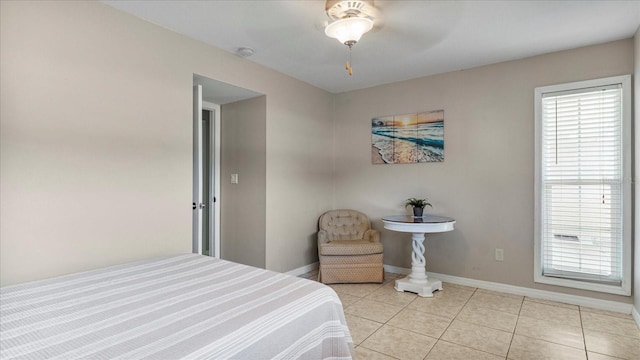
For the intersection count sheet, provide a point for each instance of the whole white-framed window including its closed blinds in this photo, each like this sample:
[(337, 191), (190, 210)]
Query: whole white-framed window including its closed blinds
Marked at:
[(583, 185)]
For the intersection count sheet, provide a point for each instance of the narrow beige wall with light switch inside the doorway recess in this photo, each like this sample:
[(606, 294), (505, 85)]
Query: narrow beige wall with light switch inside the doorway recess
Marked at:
[(243, 149)]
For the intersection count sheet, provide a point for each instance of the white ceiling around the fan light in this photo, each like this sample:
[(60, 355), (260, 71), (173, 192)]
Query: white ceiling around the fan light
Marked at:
[(417, 38)]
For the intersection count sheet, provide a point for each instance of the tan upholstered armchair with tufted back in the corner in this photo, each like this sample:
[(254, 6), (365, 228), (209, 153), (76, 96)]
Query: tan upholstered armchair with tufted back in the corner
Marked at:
[(349, 250)]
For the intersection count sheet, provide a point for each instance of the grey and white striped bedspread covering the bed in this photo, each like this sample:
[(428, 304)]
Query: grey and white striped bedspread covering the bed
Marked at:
[(177, 307)]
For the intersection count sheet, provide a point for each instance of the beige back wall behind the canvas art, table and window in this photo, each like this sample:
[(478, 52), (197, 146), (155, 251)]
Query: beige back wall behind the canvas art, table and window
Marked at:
[(487, 179)]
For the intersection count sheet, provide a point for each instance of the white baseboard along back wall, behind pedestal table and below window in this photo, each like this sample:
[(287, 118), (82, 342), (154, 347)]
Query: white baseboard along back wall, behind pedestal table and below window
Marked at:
[(535, 293)]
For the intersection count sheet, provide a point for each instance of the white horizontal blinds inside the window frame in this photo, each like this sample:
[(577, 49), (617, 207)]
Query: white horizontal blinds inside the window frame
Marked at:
[(581, 184)]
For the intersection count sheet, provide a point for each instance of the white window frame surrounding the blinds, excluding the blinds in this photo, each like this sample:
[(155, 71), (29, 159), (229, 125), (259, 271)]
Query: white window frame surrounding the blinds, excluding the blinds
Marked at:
[(625, 287)]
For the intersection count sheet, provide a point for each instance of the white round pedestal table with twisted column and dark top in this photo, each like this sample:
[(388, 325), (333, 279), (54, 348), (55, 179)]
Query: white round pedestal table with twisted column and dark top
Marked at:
[(418, 282)]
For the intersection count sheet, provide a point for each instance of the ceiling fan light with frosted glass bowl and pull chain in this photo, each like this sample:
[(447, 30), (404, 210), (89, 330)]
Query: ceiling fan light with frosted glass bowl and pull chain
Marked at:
[(350, 19)]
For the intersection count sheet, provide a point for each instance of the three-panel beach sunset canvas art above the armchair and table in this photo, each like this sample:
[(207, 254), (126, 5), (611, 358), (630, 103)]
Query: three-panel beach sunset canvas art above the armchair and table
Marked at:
[(408, 138)]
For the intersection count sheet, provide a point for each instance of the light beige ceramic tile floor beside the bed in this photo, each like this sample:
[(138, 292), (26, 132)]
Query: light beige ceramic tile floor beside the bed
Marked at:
[(462, 322)]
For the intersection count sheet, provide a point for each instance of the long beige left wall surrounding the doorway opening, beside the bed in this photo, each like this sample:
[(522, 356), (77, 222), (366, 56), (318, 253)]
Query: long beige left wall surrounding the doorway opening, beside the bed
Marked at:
[(96, 141)]
